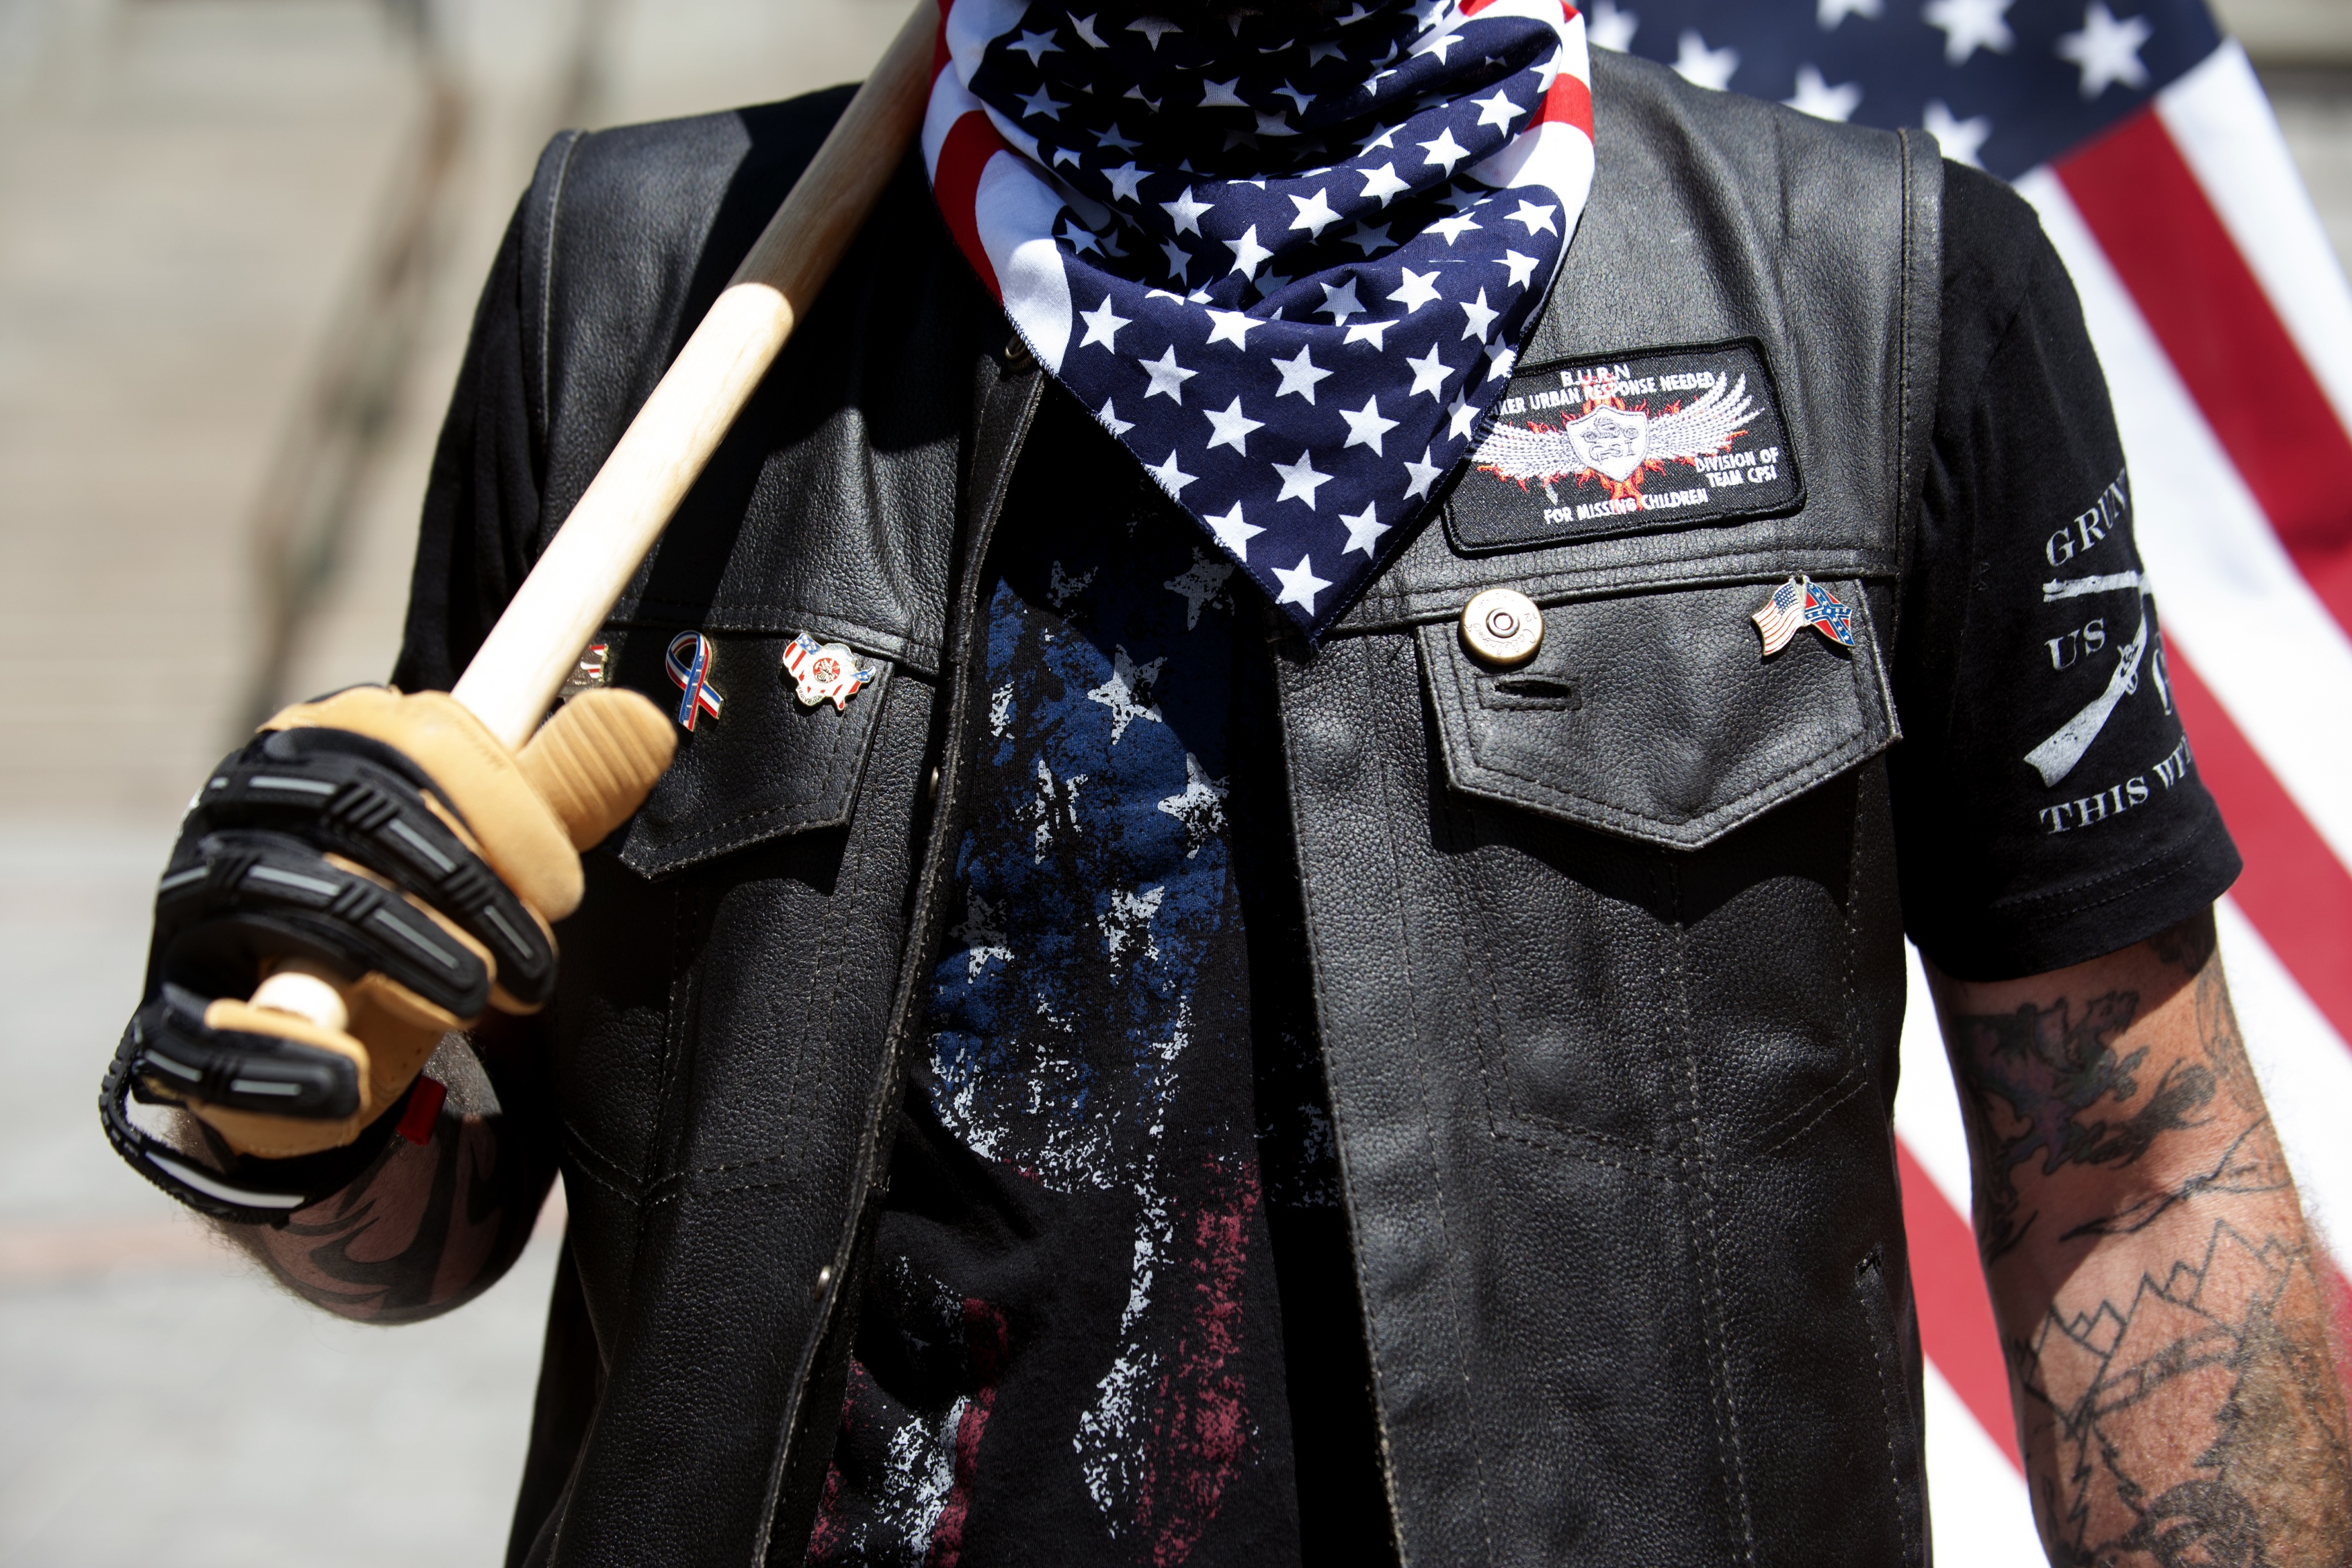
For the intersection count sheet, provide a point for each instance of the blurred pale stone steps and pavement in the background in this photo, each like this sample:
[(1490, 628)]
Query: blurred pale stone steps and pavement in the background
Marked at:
[(239, 253)]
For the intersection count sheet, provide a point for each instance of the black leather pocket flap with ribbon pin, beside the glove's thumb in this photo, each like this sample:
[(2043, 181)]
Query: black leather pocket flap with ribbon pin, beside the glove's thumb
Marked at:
[(763, 768)]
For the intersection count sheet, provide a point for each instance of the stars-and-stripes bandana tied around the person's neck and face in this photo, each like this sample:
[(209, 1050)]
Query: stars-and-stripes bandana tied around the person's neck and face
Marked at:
[(1285, 262)]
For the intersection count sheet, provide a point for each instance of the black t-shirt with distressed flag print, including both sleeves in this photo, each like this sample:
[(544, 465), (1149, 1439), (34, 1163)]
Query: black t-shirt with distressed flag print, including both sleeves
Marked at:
[(1111, 1311)]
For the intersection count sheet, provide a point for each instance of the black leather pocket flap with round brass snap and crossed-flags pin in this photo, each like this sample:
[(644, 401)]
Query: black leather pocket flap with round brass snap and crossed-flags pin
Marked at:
[(1657, 716)]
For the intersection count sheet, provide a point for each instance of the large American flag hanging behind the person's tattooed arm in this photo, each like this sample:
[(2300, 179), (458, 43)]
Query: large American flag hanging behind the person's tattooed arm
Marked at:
[(2226, 330)]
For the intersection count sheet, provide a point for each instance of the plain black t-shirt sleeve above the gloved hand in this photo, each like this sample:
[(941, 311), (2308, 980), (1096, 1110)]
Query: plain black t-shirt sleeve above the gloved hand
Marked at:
[(483, 492)]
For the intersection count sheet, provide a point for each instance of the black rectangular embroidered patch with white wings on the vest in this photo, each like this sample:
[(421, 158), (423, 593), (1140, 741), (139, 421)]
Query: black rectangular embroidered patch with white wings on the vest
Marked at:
[(1624, 445)]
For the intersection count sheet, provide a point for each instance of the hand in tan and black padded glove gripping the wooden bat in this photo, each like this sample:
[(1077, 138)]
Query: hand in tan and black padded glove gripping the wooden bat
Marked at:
[(399, 847)]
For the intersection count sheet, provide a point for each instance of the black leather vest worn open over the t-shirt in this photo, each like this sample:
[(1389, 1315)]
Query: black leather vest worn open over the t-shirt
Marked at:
[(1608, 956)]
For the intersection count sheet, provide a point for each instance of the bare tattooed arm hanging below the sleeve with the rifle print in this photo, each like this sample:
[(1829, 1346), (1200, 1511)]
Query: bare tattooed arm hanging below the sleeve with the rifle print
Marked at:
[(2165, 1315)]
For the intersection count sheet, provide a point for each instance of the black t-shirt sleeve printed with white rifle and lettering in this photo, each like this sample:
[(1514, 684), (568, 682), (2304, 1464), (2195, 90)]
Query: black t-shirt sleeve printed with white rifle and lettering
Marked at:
[(2047, 803)]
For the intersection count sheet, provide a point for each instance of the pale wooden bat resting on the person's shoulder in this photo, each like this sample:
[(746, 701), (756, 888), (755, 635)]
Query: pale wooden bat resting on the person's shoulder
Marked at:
[(580, 577)]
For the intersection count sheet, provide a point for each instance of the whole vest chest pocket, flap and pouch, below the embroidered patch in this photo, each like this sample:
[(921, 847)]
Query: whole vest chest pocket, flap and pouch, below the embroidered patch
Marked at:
[(1648, 946)]
